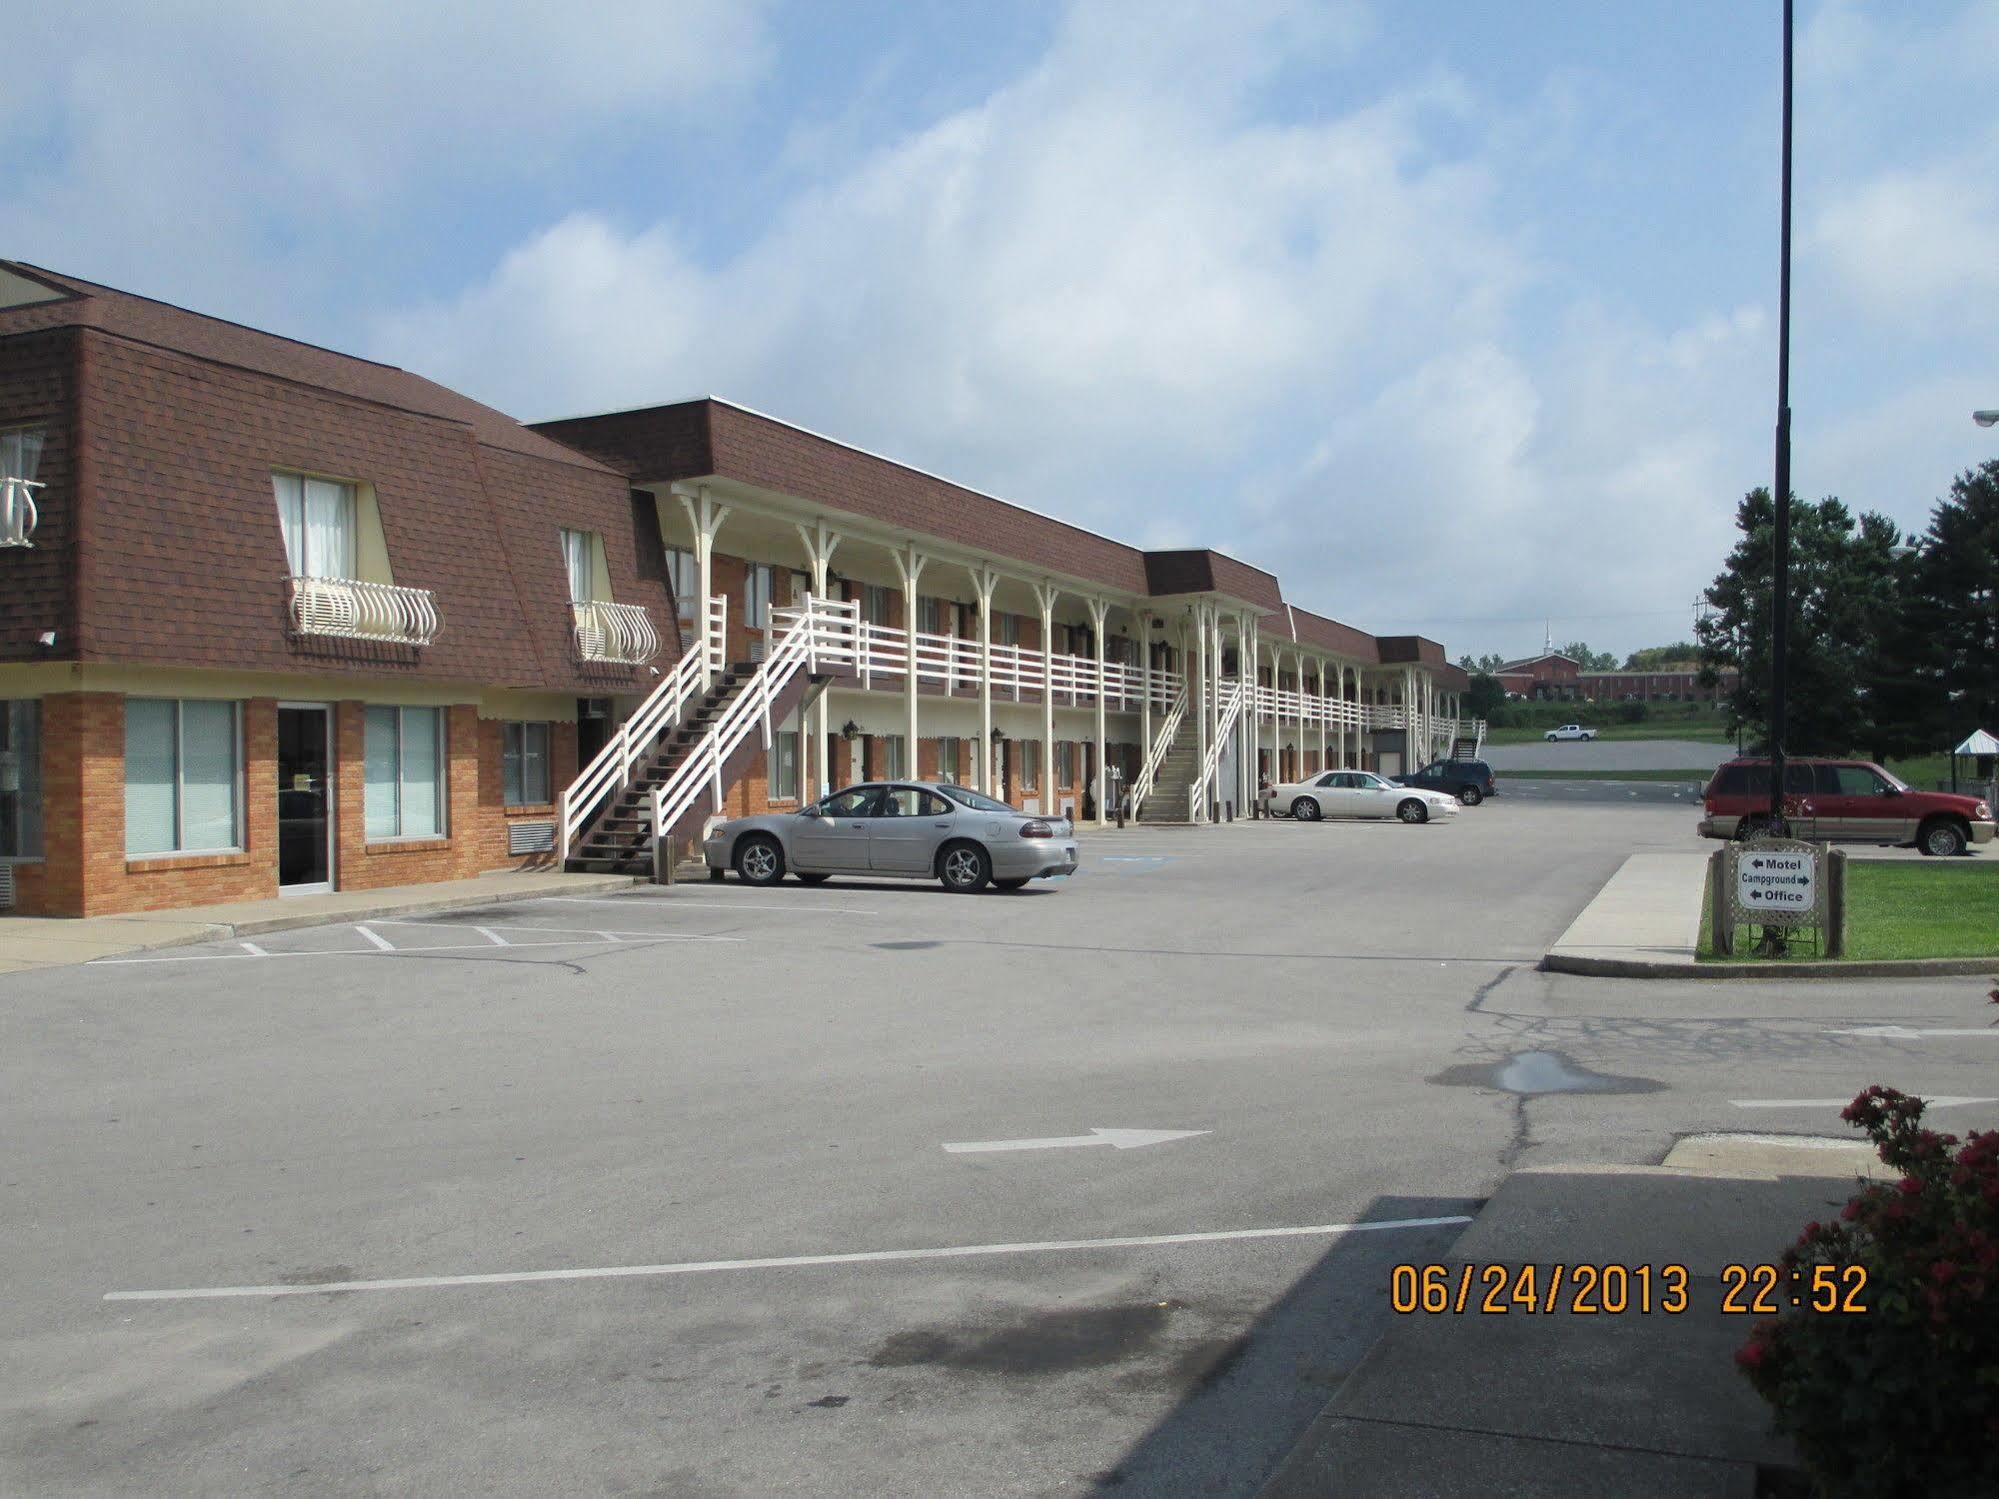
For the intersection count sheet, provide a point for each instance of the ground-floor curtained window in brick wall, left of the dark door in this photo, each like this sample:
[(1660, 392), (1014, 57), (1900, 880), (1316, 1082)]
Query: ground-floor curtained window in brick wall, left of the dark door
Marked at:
[(183, 776)]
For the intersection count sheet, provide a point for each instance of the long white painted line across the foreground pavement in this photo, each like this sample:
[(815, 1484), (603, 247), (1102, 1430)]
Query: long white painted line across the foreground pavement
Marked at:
[(783, 1262)]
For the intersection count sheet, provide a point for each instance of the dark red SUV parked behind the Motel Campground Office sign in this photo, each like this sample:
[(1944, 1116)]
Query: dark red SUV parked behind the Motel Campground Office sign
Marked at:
[(1844, 802)]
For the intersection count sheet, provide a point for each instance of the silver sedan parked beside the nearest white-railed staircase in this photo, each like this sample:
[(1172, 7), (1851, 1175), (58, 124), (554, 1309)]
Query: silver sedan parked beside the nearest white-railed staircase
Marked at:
[(911, 830)]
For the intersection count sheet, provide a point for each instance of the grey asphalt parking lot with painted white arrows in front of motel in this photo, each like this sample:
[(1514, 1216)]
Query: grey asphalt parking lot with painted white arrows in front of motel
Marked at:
[(657, 1192)]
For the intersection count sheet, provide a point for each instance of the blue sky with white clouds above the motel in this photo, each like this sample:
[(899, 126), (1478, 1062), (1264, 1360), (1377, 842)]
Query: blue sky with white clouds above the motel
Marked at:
[(1458, 317)]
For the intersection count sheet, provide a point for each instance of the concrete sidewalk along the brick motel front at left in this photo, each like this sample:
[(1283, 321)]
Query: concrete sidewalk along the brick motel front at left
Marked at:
[(31, 942)]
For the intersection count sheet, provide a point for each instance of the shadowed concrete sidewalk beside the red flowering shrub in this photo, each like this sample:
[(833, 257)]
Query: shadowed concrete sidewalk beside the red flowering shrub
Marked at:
[(1566, 1404)]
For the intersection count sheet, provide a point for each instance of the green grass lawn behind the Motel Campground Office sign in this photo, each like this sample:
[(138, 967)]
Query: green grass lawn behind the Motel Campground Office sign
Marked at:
[(1938, 908)]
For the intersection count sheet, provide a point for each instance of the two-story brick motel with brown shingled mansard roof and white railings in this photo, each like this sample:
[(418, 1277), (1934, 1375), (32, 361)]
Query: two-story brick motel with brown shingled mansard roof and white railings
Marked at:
[(277, 621)]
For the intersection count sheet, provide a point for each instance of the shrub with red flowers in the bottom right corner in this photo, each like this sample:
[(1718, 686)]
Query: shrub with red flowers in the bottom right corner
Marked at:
[(1902, 1398)]
